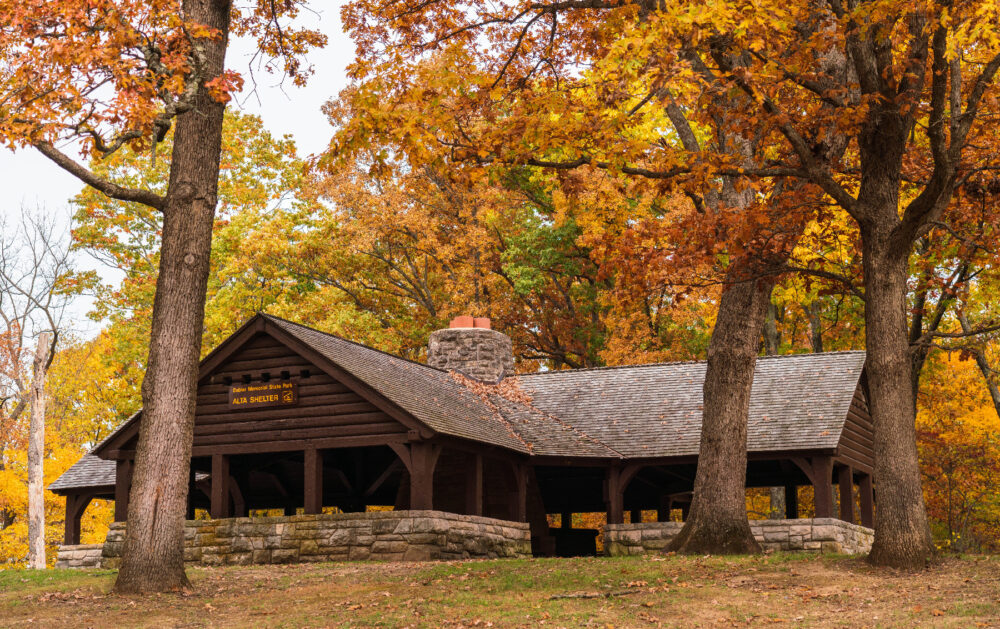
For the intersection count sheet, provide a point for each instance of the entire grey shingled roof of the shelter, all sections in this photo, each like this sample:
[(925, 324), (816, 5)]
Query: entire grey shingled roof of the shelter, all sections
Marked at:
[(798, 402)]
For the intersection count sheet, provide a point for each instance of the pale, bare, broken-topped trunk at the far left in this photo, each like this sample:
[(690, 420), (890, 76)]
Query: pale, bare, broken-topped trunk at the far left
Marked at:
[(36, 454)]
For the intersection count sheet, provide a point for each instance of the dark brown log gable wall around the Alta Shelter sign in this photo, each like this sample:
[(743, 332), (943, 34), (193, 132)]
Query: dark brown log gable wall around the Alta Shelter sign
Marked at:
[(327, 410)]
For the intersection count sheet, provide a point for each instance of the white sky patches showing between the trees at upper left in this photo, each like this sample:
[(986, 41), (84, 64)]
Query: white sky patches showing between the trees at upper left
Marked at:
[(29, 180)]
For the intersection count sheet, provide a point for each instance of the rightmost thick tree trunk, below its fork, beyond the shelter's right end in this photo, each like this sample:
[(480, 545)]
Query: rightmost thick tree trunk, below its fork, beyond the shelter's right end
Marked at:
[(902, 533)]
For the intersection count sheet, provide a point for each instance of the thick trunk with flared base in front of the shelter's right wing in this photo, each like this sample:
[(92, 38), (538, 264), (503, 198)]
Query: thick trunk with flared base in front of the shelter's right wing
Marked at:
[(717, 522)]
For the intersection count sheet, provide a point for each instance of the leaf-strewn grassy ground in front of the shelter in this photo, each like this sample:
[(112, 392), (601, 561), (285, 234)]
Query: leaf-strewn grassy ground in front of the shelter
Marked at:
[(786, 590)]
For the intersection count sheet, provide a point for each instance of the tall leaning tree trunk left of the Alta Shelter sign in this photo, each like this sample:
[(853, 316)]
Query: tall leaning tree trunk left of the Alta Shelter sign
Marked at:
[(153, 554)]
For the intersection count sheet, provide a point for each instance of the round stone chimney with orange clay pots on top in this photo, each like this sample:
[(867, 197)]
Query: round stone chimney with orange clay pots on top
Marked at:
[(471, 348)]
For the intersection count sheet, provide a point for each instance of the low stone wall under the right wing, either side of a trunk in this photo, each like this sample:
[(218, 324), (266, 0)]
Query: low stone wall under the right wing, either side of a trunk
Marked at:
[(816, 534)]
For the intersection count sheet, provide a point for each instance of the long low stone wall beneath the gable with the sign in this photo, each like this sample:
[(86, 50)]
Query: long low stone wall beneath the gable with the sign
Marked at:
[(376, 535)]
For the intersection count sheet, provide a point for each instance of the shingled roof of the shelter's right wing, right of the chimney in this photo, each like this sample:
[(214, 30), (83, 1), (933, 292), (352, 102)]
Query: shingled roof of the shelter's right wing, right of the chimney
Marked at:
[(798, 402)]
